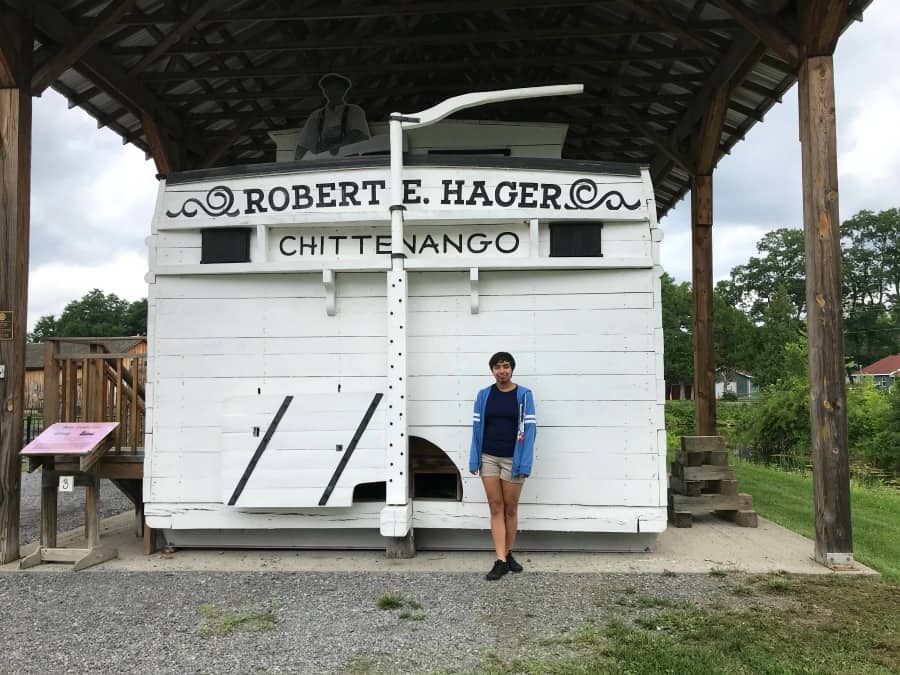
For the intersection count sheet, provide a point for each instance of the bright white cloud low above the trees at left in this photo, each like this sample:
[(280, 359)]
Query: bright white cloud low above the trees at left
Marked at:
[(53, 285)]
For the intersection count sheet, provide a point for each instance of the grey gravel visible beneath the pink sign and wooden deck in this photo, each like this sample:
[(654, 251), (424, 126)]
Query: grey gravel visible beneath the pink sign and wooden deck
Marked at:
[(70, 509)]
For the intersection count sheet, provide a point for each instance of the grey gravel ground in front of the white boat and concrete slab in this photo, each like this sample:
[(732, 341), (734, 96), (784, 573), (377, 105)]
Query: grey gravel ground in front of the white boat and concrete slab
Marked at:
[(323, 623)]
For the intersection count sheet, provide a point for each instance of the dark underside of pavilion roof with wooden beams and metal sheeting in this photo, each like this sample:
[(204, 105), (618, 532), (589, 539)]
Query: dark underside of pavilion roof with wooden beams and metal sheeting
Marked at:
[(204, 81)]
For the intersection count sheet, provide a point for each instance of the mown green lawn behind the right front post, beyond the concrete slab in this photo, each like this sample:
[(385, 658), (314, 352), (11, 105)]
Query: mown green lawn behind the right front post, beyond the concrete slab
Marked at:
[(786, 498)]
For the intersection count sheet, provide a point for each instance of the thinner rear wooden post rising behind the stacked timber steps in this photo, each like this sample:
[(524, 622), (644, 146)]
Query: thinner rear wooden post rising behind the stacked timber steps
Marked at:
[(701, 256)]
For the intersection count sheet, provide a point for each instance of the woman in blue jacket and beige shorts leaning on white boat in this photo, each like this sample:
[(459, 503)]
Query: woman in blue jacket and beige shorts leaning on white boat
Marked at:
[(503, 431)]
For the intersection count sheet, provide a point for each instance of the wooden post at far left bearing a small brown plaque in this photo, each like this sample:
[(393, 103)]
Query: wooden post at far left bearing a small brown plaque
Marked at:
[(15, 188)]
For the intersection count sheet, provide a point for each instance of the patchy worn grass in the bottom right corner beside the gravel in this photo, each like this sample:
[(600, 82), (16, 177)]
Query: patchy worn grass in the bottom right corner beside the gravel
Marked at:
[(827, 624)]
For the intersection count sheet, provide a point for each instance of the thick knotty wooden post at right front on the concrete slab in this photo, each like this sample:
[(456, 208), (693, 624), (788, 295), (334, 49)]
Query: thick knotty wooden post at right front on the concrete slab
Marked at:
[(821, 225)]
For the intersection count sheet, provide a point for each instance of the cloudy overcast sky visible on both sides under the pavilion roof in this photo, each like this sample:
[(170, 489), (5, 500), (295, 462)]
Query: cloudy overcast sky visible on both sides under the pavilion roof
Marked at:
[(92, 197)]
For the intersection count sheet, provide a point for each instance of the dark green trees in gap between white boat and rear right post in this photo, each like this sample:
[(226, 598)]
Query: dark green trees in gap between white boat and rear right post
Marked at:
[(678, 327)]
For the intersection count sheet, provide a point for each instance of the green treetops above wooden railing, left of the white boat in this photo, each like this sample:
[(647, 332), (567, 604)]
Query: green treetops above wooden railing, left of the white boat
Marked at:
[(95, 315)]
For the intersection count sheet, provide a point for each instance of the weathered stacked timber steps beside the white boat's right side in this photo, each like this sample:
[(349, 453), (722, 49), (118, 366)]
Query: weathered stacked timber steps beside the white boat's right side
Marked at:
[(702, 482)]
